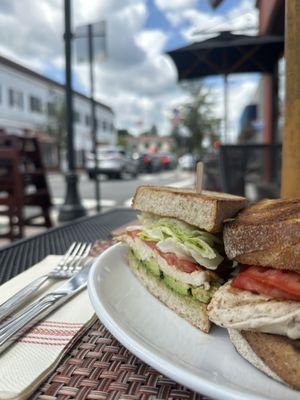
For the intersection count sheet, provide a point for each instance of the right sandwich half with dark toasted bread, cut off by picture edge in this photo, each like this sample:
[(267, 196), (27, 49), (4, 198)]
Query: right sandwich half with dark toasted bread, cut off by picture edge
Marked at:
[(260, 306)]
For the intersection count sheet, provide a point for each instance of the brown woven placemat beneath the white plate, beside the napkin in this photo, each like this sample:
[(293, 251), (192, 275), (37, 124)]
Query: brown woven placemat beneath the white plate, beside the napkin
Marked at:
[(100, 368)]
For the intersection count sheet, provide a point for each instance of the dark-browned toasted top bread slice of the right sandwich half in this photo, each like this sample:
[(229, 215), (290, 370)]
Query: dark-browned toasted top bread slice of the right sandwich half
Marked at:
[(266, 233)]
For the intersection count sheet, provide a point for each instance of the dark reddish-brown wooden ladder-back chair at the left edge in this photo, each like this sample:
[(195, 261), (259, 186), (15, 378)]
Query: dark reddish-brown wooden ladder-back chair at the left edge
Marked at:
[(23, 186)]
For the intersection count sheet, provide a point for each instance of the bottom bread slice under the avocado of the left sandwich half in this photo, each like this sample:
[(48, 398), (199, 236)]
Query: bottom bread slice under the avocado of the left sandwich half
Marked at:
[(192, 311)]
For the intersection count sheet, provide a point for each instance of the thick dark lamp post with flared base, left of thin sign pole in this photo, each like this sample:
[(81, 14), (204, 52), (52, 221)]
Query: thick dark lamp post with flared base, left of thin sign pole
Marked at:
[(72, 207)]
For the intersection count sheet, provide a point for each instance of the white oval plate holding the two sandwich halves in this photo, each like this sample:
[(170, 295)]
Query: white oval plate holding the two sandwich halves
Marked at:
[(205, 363)]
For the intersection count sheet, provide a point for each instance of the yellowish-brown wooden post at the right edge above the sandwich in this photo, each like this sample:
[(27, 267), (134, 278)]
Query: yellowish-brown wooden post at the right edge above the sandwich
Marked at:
[(290, 174)]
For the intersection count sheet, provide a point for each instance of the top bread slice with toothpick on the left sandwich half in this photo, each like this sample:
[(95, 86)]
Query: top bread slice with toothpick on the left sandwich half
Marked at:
[(207, 210)]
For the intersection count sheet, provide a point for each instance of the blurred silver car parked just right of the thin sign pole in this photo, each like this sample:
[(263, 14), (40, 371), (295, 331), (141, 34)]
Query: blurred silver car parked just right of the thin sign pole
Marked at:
[(113, 162)]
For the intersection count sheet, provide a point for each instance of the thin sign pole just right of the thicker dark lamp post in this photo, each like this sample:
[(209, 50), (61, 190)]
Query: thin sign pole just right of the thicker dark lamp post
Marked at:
[(93, 114)]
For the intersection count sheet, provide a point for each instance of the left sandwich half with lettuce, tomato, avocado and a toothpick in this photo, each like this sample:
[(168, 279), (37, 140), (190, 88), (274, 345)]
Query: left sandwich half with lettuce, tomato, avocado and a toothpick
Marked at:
[(177, 252)]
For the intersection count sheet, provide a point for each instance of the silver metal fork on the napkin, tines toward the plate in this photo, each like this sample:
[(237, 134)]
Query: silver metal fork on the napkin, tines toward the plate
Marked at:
[(71, 263)]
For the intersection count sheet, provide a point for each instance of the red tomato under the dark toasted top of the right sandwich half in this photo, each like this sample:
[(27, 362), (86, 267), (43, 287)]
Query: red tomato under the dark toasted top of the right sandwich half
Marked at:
[(268, 281)]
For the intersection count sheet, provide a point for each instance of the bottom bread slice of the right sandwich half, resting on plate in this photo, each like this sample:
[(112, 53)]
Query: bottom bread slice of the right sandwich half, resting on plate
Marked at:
[(275, 355)]
